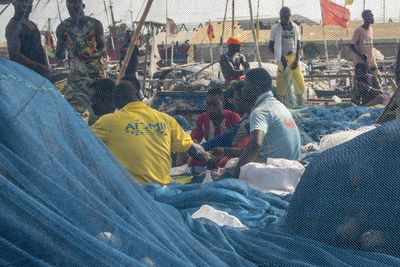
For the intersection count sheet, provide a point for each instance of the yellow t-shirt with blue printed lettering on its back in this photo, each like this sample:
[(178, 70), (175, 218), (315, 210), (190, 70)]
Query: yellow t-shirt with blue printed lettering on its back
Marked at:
[(143, 139)]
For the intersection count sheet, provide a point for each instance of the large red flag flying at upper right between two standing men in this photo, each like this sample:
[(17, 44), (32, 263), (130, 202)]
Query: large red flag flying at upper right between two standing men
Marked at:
[(334, 14)]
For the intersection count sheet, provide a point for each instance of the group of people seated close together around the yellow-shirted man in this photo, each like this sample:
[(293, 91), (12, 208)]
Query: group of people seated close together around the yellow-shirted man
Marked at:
[(143, 138)]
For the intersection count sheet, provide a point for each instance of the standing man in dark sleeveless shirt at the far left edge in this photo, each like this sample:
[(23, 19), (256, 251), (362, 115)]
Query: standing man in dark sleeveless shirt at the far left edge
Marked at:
[(23, 39)]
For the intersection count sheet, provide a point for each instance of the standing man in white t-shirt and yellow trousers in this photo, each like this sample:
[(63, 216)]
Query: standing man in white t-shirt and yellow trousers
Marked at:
[(285, 44)]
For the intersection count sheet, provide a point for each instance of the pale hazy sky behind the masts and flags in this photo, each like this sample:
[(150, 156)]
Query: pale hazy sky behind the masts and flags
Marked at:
[(193, 10)]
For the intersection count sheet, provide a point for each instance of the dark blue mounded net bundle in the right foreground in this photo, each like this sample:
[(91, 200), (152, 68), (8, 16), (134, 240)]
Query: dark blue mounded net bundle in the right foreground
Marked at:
[(350, 195)]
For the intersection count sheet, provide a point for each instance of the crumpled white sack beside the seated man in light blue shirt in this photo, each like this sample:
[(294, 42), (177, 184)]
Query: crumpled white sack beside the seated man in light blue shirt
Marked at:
[(277, 176)]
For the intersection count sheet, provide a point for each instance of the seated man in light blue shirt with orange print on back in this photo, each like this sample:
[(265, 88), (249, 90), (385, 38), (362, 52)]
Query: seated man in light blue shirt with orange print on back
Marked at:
[(273, 132)]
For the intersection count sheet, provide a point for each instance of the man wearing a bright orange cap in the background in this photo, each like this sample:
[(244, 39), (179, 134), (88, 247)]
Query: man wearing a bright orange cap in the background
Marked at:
[(232, 60)]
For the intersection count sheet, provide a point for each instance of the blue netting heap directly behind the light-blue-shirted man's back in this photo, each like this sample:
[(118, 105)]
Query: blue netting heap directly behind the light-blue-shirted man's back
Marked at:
[(315, 122)]
